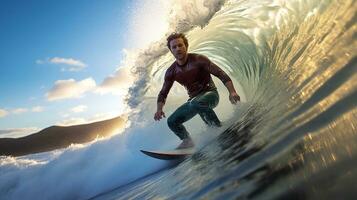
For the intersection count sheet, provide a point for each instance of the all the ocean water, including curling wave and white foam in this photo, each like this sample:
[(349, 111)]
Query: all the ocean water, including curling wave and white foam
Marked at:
[(293, 136)]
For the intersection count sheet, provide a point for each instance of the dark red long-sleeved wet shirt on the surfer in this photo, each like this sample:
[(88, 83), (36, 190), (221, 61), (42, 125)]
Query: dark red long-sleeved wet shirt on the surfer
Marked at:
[(194, 75)]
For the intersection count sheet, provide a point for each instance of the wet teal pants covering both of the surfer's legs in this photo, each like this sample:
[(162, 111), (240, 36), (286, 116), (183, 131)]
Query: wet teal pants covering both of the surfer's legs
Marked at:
[(203, 105)]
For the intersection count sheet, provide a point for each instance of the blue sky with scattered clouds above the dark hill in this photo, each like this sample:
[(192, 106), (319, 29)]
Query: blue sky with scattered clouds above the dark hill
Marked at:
[(58, 60)]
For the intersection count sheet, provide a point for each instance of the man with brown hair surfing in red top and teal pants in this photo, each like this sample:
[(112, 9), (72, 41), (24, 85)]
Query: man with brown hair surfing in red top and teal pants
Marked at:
[(193, 71)]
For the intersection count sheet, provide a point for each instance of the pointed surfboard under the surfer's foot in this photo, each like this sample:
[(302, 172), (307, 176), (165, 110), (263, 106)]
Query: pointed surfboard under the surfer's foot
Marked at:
[(169, 155)]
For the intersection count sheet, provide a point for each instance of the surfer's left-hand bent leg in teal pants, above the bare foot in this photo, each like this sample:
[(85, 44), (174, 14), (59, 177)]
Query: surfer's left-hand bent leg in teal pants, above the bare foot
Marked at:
[(176, 120)]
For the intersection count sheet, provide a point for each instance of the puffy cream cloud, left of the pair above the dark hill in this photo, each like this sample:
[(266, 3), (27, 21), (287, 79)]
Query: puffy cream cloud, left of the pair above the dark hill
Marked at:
[(69, 89)]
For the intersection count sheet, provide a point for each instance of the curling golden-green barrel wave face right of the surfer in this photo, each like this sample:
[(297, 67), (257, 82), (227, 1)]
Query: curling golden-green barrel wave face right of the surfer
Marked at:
[(294, 134)]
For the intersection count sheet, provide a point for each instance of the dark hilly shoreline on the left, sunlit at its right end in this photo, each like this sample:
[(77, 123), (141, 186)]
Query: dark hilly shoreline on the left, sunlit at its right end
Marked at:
[(57, 137)]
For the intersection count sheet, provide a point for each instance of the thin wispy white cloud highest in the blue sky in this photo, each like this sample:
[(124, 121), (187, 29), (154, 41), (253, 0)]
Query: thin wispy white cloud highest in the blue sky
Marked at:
[(70, 63)]
